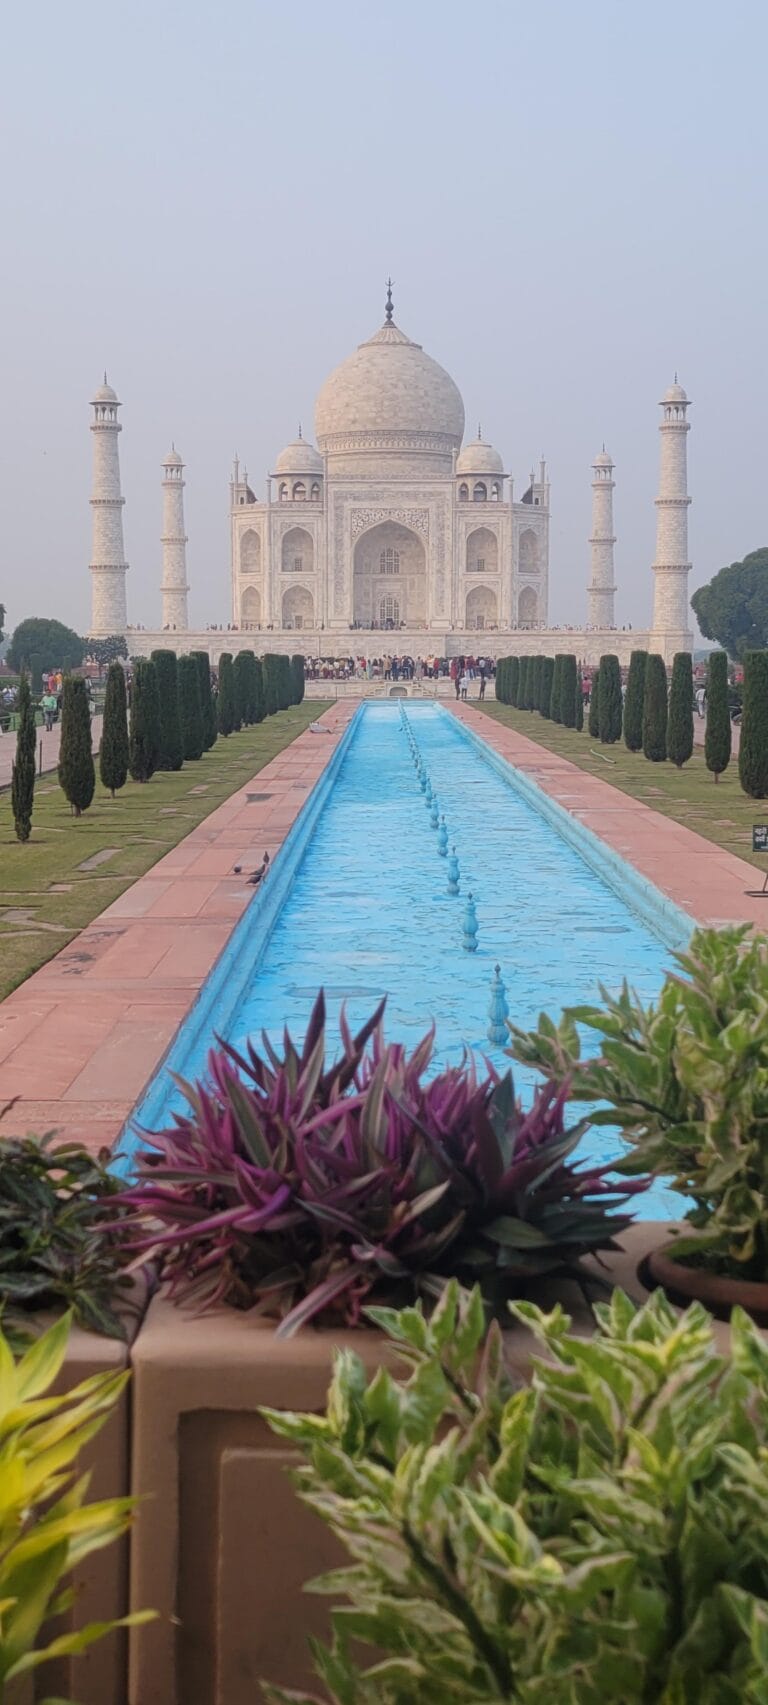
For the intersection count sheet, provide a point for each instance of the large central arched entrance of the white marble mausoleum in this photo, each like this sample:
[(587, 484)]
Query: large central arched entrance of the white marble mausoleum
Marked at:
[(390, 579)]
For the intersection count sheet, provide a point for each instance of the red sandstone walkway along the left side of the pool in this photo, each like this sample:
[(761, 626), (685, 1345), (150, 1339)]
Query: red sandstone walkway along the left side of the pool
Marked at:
[(81, 1039)]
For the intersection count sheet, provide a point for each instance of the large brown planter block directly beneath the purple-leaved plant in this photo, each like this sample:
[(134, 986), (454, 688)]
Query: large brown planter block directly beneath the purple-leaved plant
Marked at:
[(223, 1547)]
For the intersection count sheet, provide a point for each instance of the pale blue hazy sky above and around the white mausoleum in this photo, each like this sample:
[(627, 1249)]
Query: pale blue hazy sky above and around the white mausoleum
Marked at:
[(207, 200)]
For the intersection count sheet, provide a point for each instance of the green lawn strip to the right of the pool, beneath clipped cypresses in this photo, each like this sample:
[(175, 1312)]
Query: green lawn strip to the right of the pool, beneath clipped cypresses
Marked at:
[(719, 812)]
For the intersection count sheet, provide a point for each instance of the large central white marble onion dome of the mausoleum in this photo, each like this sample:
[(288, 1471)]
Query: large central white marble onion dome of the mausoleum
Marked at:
[(390, 395)]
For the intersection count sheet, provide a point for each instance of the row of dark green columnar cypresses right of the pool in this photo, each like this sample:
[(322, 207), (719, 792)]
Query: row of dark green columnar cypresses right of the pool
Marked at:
[(655, 715)]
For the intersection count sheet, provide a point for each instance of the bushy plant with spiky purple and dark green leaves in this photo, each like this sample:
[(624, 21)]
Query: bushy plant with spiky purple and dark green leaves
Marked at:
[(310, 1191)]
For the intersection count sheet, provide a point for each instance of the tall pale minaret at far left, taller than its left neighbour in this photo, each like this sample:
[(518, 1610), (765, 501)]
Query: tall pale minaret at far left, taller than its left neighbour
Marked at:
[(108, 567)]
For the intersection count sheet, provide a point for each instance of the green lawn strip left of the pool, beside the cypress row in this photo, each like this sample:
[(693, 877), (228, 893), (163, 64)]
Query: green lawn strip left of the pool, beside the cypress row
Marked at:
[(47, 894)]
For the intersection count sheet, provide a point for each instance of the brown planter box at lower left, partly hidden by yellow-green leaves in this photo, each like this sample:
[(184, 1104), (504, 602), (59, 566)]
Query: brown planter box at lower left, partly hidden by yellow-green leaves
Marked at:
[(96, 1677)]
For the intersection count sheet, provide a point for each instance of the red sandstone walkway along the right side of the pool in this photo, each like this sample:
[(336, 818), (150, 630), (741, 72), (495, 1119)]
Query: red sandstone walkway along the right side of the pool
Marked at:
[(702, 879)]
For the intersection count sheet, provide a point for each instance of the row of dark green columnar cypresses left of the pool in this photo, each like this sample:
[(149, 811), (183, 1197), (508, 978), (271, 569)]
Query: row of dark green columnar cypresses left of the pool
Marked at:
[(177, 714)]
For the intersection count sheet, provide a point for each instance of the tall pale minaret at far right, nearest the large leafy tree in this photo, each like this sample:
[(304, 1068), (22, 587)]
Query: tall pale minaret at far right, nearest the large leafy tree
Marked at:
[(672, 569)]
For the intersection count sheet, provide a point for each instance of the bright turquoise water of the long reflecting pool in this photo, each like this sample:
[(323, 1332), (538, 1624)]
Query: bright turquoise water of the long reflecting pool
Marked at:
[(368, 915)]
